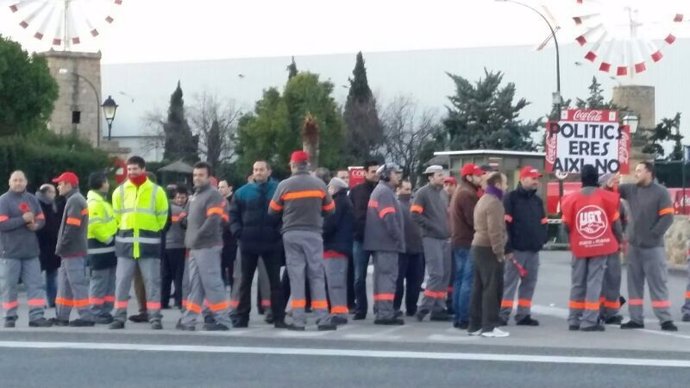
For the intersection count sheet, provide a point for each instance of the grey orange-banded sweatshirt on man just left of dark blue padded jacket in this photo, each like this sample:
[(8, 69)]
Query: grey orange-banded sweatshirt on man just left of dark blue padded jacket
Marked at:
[(205, 218)]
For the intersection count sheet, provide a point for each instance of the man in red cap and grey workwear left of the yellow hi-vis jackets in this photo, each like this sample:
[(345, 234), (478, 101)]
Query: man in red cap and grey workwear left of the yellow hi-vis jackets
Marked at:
[(73, 286)]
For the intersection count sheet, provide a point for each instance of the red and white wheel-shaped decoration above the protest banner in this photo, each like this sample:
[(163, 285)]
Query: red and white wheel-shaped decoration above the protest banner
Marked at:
[(620, 34)]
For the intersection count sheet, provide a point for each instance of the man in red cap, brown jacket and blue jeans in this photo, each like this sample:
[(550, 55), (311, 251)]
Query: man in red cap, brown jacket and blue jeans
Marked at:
[(462, 206)]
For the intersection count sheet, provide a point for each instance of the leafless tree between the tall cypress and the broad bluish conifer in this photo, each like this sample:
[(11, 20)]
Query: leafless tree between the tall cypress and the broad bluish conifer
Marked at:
[(407, 133)]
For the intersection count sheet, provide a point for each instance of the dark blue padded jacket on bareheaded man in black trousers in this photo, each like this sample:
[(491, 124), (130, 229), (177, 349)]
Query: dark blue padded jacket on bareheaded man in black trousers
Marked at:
[(255, 230)]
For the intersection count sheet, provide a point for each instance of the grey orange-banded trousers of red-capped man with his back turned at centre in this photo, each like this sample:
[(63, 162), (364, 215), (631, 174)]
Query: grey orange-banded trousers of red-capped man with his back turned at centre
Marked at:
[(304, 256)]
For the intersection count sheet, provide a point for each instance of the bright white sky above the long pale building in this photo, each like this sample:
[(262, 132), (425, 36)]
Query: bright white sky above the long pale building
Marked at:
[(177, 30)]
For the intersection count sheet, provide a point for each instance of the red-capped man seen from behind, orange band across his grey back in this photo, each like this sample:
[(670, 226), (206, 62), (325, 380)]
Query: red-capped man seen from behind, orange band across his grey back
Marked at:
[(303, 201)]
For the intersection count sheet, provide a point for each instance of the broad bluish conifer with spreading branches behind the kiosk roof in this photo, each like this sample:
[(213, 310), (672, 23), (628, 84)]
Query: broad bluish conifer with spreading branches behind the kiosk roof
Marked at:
[(482, 116)]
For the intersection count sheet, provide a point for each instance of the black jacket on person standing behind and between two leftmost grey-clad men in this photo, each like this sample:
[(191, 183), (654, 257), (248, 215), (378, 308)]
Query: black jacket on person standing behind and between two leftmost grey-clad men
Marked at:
[(47, 236)]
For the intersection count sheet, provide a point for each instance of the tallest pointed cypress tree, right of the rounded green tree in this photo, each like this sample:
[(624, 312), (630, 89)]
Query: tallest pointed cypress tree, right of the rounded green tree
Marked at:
[(364, 134)]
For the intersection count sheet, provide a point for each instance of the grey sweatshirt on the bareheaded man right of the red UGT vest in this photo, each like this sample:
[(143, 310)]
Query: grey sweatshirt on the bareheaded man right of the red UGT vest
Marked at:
[(652, 213)]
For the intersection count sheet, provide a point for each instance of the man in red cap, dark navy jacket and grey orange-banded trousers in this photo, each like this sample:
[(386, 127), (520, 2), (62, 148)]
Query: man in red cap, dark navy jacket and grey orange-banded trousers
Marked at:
[(526, 224)]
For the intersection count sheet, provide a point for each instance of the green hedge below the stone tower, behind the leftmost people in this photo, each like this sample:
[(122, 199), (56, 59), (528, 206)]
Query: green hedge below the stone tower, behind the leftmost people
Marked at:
[(43, 156)]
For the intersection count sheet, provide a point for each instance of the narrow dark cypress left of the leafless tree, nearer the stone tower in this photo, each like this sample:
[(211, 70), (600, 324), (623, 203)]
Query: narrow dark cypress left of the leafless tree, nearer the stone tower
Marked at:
[(180, 143)]
